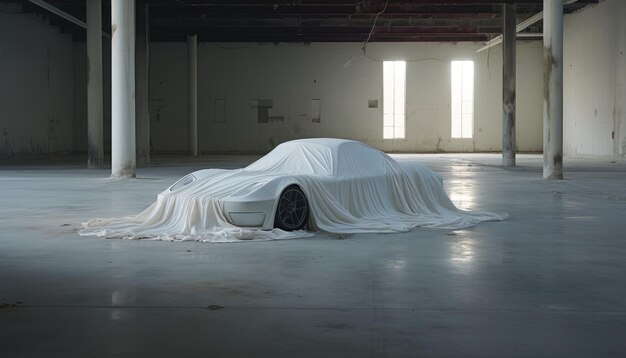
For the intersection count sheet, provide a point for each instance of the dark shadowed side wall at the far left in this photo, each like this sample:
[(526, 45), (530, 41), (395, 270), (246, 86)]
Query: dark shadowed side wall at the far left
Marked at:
[(36, 86)]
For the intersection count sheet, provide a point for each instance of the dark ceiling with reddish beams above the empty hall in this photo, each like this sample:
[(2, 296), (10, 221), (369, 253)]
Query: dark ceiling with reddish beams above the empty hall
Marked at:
[(315, 20)]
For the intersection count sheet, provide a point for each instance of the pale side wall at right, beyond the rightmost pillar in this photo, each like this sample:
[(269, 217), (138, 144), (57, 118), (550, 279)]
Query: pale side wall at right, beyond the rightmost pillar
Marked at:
[(595, 80)]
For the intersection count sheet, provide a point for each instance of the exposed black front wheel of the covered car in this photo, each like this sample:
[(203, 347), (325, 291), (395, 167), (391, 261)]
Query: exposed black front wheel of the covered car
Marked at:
[(292, 211)]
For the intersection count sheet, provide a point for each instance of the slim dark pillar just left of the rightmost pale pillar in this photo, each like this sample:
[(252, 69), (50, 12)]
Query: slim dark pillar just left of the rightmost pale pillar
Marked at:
[(508, 84)]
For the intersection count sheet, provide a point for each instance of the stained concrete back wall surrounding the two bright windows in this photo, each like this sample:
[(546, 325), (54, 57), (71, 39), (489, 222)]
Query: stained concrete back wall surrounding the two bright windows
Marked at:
[(344, 80)]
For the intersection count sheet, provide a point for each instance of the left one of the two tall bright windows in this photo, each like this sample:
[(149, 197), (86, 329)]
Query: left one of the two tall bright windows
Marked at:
[(394, 79)]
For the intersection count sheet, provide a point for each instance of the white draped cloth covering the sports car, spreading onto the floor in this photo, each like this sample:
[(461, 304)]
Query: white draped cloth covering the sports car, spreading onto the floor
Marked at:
[(350, 187)]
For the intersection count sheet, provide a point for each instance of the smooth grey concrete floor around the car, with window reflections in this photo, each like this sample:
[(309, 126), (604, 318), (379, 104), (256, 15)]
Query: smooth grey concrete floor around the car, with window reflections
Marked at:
[(548, 282)]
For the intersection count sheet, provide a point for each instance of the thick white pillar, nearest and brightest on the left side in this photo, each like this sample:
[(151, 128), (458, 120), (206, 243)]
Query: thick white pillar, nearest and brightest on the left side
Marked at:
[(123, 88)]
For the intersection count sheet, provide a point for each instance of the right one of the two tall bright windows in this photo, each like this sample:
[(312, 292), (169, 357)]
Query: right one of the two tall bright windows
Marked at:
[(462, 99)]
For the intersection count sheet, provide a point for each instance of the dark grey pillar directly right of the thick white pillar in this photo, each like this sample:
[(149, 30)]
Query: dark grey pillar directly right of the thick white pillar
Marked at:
[(142, 67)]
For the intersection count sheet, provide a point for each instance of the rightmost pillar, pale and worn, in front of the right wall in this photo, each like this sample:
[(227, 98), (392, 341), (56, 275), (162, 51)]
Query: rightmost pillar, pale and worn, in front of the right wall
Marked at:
[(553, 89)]
